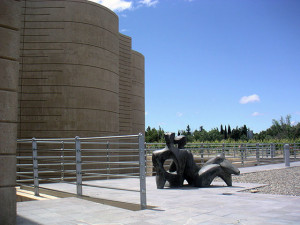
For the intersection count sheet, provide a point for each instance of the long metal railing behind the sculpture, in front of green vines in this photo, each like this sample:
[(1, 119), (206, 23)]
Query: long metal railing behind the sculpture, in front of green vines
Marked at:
[(240, 154)]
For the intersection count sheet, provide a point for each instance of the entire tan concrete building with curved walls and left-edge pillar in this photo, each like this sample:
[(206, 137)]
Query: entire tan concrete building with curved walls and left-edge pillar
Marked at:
[(66, 71)]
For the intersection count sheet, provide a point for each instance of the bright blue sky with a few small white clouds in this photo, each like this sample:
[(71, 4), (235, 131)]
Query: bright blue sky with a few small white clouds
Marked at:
[(213, 62)]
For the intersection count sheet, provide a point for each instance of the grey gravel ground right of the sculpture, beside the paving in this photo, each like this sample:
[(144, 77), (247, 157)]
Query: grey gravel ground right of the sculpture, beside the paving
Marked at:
[(279, 181)]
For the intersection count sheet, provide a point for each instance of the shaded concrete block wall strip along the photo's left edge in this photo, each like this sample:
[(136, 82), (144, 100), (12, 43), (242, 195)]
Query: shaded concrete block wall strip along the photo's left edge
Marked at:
[(9, 67)]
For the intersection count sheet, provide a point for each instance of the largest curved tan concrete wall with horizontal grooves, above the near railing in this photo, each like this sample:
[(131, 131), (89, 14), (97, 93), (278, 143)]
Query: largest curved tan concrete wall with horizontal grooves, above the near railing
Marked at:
[(69, 70)]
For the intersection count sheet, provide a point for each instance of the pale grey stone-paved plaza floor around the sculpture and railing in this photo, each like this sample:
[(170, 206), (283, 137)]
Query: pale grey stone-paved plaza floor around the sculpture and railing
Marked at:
[(218, 204)]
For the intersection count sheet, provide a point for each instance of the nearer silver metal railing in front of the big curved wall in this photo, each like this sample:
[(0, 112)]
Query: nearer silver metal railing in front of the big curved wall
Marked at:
[(76, 160)]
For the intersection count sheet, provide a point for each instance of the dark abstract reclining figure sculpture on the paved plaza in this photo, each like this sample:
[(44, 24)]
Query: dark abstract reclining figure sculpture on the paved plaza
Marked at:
[(184, 167)]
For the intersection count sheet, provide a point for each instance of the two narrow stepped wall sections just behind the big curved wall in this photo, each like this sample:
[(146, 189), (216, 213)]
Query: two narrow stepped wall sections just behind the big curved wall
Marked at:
[(131, 88)]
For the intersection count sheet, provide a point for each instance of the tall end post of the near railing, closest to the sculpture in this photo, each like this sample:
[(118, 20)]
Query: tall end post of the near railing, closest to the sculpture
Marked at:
[(141, 141)]
